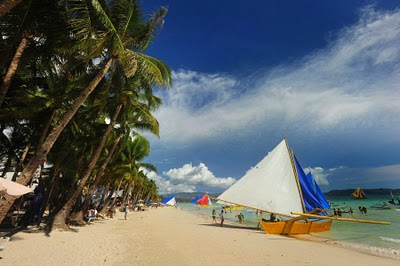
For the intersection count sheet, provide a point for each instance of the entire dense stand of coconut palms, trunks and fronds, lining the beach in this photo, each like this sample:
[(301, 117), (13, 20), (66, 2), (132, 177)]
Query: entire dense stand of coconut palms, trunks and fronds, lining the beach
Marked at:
[(77, 88)]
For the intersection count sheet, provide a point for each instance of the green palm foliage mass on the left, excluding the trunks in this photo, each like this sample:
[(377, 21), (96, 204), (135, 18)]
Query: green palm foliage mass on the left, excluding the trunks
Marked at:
[(69, 41)]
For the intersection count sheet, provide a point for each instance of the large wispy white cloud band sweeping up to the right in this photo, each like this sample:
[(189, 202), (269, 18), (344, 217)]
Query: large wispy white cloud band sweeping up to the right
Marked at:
[(353, 83)]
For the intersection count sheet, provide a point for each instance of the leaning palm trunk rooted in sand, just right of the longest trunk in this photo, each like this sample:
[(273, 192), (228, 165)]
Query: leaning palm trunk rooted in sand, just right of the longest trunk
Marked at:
[(80, 214)]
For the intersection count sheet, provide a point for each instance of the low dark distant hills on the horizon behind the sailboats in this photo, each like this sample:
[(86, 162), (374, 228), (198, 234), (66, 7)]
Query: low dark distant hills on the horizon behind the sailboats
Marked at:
[(189, 196)]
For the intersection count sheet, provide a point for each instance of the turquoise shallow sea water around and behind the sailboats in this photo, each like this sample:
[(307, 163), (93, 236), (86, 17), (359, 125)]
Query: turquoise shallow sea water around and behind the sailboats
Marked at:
[(382, 240)]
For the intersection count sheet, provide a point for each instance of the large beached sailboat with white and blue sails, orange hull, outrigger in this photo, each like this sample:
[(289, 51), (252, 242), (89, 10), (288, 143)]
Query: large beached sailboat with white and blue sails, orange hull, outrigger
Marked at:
[(279, 186)]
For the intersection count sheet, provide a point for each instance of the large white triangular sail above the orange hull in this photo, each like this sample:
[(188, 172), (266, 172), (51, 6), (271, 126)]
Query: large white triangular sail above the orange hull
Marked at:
[(270, 185)]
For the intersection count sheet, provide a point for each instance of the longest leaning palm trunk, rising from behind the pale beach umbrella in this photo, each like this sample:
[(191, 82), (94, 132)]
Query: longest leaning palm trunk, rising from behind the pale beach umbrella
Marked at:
[(41, 153)]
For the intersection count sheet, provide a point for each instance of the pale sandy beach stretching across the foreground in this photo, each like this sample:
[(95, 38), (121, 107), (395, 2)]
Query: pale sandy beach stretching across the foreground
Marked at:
[(169, 236)]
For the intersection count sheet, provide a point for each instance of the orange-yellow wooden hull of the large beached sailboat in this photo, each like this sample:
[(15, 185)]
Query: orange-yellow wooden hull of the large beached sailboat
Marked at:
[(295, 227)]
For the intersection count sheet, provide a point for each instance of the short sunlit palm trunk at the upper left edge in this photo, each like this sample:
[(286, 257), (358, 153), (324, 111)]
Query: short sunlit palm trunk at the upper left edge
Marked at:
[(12, 68)]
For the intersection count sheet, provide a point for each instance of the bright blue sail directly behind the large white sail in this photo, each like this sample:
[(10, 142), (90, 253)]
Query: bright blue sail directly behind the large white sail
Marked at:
[(312, 195)]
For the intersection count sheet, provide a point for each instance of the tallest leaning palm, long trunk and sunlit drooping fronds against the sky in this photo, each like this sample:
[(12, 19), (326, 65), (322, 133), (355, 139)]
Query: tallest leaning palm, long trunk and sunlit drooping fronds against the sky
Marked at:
[(127, 58)]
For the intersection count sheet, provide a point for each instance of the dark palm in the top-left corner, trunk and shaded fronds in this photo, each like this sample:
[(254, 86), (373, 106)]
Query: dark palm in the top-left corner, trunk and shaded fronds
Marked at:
[(38, 27)]
